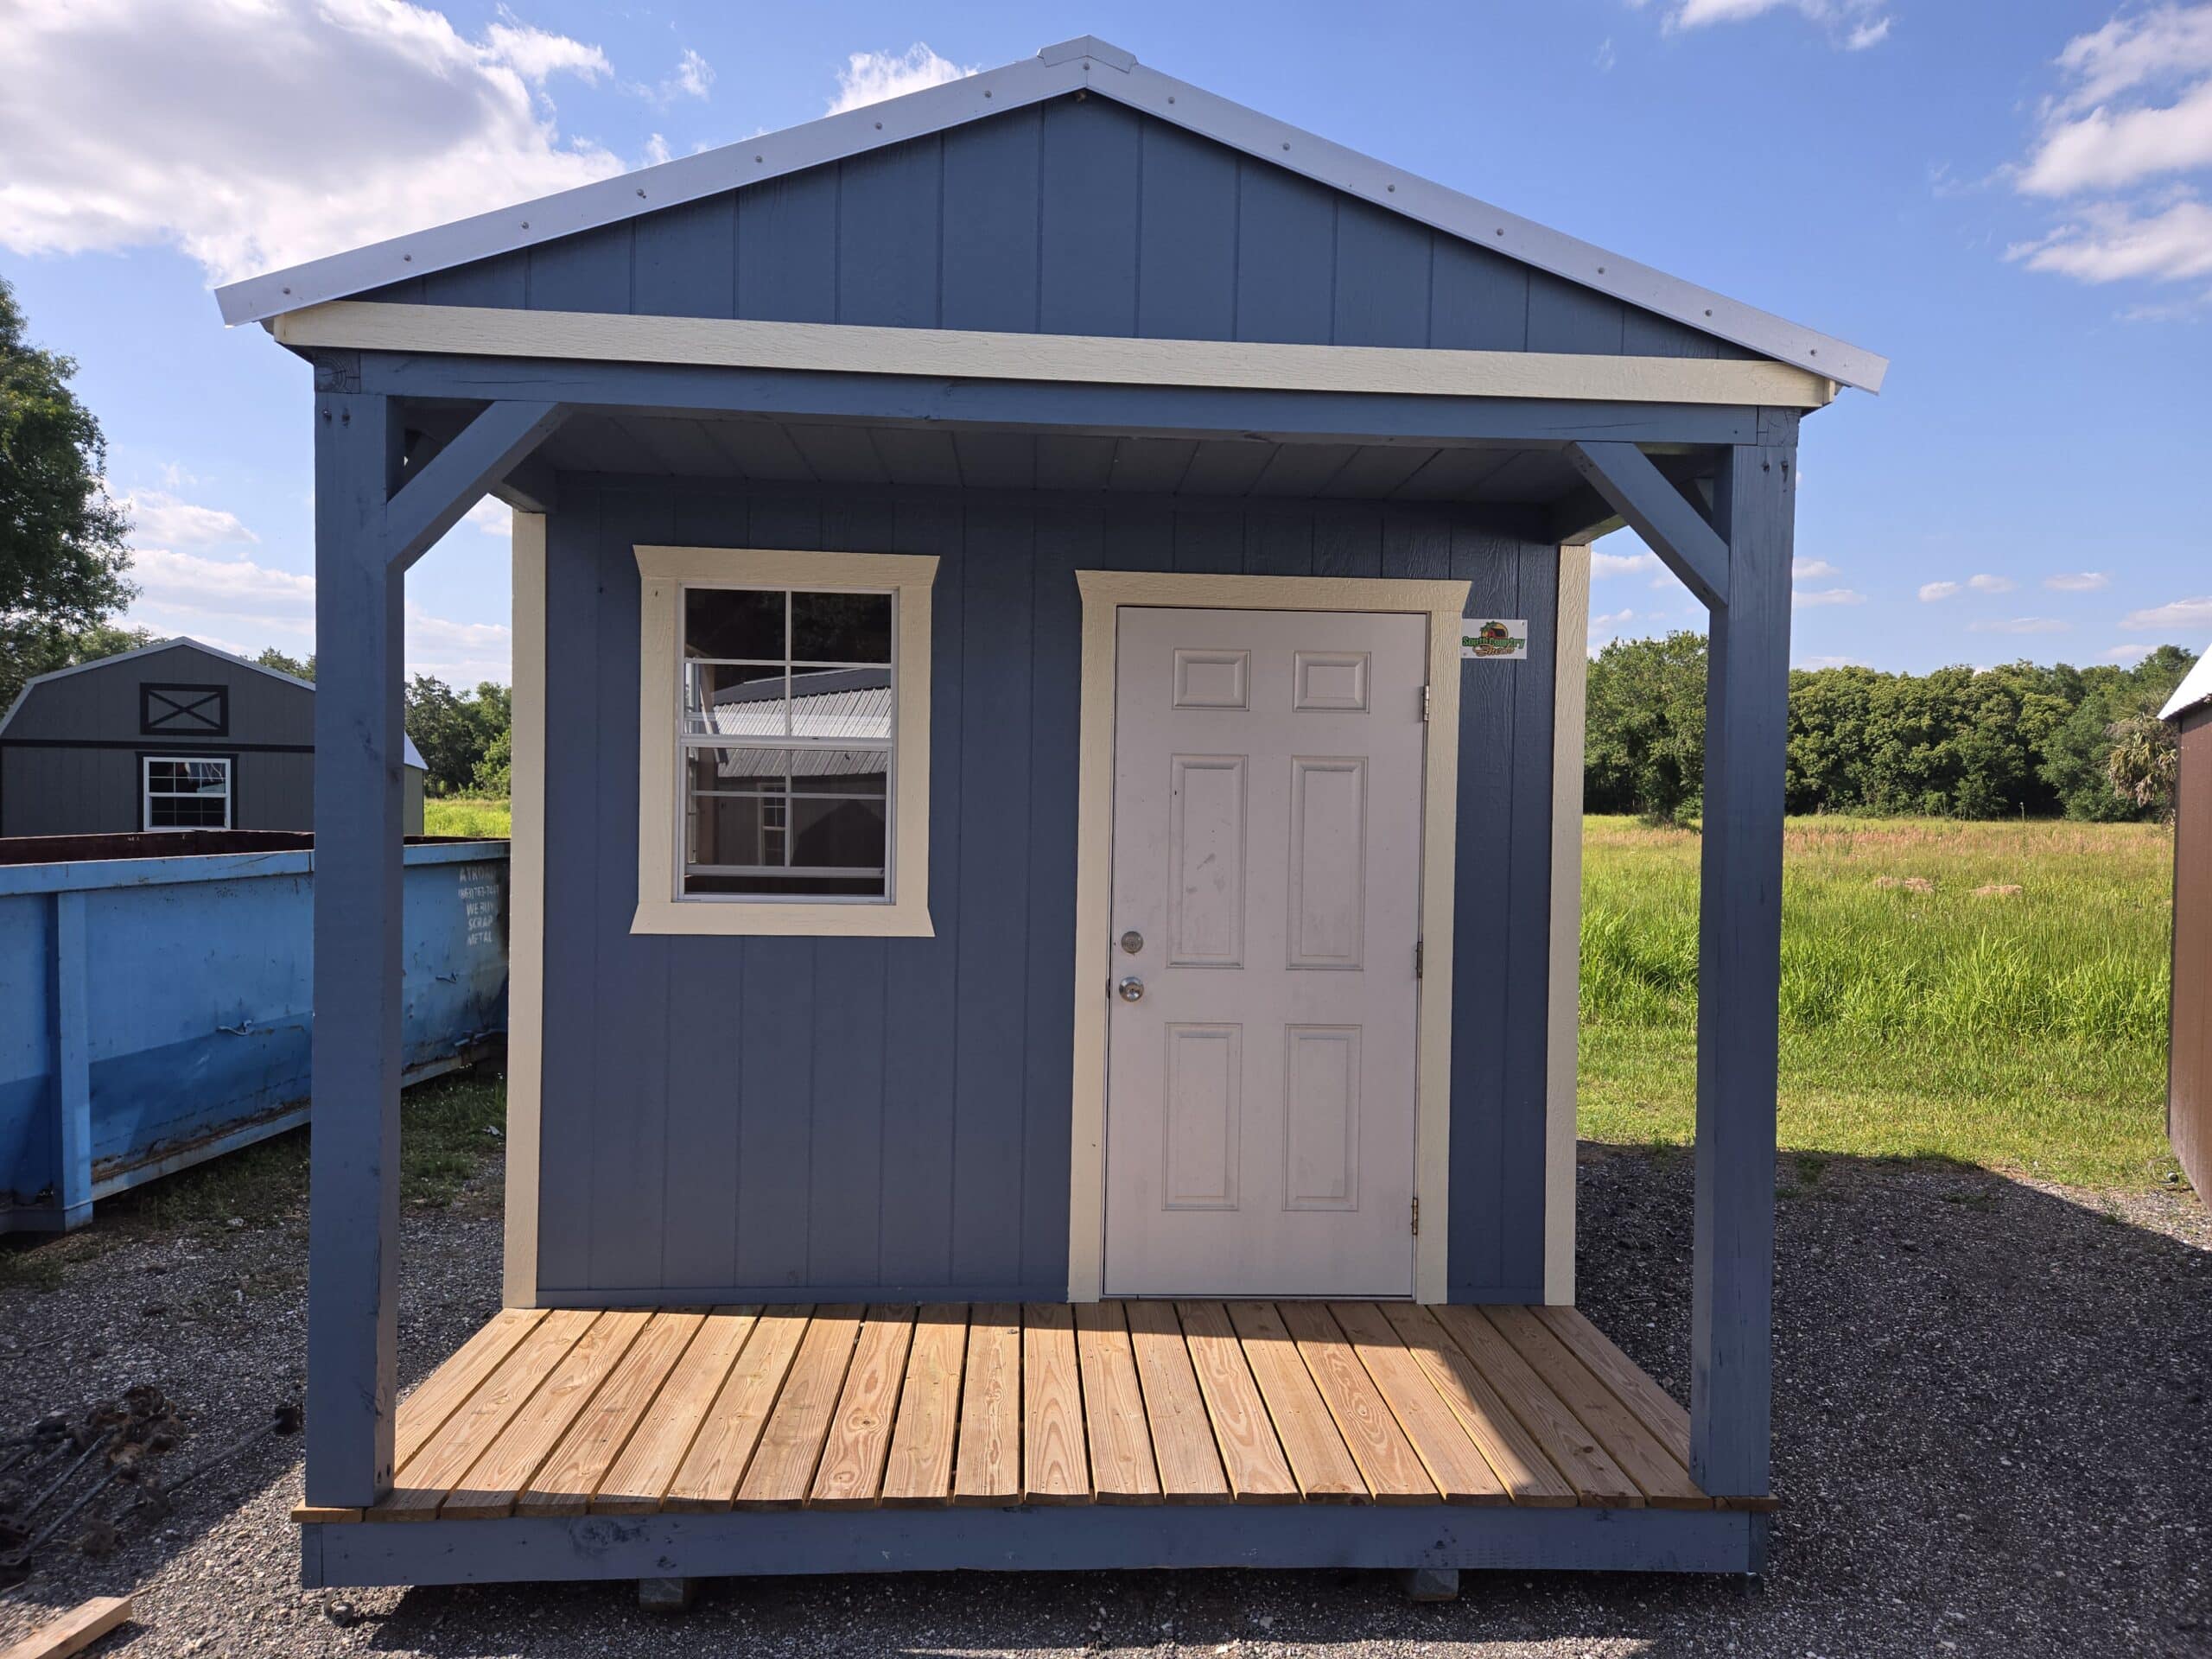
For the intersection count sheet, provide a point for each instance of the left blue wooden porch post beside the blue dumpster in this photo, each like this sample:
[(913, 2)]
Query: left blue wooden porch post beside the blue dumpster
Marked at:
[(353, 1253)]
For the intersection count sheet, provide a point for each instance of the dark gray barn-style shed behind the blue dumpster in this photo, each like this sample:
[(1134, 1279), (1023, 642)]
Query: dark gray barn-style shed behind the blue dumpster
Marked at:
[(176, 735)]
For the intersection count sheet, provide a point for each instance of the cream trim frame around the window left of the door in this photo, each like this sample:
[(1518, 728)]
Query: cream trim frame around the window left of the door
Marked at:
[(662, 574)]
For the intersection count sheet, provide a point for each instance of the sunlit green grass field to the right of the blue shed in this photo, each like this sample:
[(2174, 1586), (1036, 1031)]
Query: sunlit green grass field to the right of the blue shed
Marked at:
[(1923, 1014)]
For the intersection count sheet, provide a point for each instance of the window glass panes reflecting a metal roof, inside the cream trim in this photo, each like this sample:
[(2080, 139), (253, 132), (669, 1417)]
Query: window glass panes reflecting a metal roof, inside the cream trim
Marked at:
[(802, 806)]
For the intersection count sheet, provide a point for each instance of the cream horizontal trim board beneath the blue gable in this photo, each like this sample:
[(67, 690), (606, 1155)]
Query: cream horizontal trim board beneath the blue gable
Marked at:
[(1085, 359)]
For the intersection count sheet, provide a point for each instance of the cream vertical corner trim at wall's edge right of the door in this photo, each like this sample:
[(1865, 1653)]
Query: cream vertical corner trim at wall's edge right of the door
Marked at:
[(1565, 1003)]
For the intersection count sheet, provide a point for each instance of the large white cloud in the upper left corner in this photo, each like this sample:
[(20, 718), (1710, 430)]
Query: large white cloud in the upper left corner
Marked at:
[(218, 127)]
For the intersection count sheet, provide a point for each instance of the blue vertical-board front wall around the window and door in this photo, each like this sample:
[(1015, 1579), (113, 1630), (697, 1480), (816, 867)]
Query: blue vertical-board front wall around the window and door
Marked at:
[(791, 1118)]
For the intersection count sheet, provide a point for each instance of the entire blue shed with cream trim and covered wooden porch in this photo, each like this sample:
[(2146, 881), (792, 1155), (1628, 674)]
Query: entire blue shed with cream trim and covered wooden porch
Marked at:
[(1050, 638)]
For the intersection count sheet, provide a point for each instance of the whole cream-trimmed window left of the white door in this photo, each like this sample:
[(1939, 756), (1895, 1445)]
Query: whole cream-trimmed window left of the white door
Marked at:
[(784, 769)]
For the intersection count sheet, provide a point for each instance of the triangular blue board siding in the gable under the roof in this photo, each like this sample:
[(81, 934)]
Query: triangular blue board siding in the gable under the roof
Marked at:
[(1070, 218)]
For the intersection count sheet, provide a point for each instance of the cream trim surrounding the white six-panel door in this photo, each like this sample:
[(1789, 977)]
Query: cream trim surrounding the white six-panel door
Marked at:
[(1103, 596)]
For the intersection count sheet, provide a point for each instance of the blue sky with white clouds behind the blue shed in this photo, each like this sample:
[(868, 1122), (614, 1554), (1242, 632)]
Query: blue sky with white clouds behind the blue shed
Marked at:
[(2012, 202)]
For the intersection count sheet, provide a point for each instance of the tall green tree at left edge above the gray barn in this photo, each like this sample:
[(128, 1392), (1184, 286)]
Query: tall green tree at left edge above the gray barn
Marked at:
[(63, 552)]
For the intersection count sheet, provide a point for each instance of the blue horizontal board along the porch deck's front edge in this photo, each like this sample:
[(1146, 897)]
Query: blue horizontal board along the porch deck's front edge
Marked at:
[(1089, 1538)]
